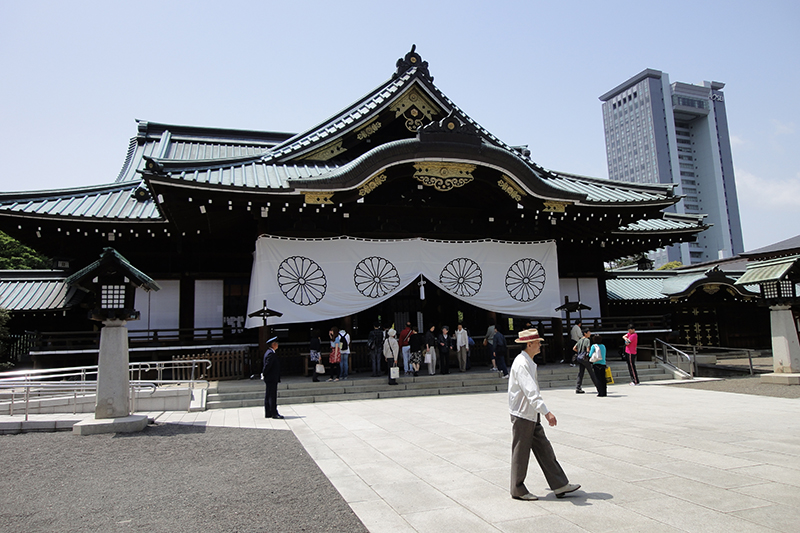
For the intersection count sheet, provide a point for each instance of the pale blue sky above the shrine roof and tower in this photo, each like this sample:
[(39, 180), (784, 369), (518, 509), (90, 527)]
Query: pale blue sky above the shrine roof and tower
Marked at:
[(76, 74)]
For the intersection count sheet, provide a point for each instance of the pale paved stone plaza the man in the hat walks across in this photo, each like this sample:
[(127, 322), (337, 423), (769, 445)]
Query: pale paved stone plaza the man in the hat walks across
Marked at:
[(649, 458)]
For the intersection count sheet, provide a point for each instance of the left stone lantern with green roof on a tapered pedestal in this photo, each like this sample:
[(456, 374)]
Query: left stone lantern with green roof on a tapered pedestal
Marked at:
[(112, 281)]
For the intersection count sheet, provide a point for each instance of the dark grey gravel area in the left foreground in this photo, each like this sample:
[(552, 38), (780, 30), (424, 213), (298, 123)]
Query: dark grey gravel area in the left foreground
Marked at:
[(168, 478)]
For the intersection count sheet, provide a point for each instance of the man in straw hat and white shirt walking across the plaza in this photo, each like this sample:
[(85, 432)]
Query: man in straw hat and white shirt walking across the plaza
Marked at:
[(526, 406)]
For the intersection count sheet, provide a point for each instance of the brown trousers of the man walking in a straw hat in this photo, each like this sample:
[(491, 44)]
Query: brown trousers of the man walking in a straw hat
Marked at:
[(528, 436)]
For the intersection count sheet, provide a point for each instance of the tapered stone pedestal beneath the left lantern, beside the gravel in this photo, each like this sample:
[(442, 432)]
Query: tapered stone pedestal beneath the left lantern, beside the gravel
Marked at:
[(113, 385)]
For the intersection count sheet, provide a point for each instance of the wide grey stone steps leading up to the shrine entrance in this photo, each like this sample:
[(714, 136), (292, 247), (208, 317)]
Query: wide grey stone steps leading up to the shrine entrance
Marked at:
[(294, 389)]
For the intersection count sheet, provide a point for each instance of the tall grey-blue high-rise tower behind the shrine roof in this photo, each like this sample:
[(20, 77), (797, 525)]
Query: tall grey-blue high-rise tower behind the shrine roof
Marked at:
[(657, 132)]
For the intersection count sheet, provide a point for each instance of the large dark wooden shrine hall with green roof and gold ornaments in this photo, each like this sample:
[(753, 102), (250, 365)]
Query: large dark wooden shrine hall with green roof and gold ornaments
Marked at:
[(399, 207)]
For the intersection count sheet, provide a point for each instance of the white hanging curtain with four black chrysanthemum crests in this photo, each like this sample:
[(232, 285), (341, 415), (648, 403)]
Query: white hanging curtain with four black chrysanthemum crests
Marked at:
[(309, 280)]
